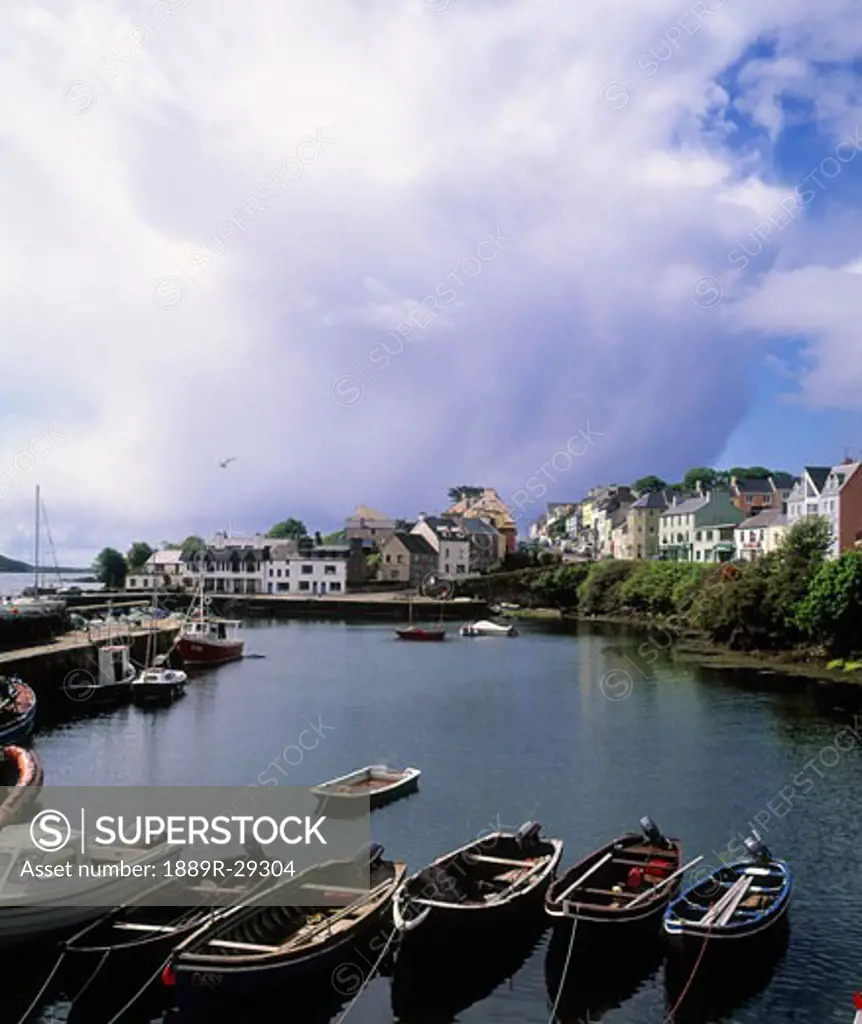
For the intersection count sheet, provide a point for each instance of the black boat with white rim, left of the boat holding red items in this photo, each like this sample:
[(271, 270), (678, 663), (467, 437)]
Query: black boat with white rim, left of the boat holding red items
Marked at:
[(478, 889)]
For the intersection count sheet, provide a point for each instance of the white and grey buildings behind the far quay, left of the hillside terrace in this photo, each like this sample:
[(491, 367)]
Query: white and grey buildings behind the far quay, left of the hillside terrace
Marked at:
[(469, 538)]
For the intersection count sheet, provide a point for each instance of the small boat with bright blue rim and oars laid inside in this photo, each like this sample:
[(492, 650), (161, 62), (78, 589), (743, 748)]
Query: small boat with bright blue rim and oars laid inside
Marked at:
[(736, 906)]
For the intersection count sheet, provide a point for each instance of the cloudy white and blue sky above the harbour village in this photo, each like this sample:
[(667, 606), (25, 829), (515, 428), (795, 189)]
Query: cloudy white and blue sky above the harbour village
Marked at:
[(411, 245)]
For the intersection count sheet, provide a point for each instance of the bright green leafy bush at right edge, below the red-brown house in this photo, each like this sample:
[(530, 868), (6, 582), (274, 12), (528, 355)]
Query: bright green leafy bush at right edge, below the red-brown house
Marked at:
[(831, 612)]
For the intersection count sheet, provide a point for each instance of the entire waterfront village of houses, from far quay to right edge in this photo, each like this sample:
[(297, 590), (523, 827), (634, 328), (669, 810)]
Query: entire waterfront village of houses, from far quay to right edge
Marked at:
[(712, 517)]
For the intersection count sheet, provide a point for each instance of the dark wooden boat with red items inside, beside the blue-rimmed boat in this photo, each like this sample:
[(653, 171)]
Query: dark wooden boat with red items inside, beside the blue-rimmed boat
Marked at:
[(627, 884)]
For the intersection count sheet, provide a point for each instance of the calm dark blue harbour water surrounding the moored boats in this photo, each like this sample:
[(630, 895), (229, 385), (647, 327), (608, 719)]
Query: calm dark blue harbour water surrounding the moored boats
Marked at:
[(577, 732)]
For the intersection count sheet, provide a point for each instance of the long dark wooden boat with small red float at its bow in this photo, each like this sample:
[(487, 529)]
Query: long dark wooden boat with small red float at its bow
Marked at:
[(281, 946)]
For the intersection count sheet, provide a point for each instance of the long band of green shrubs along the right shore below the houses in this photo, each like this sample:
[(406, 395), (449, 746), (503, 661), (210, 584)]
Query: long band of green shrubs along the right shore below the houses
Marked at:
[(794, 606)]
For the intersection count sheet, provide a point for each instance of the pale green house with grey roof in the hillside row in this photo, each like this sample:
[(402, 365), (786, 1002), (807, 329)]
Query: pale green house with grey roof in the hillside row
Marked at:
[(700, 529)]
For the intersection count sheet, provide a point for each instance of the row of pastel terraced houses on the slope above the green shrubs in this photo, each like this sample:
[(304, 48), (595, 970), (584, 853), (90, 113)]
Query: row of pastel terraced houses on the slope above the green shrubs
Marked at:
[(739, 523)]
